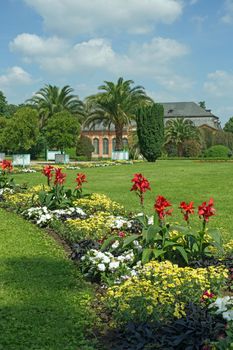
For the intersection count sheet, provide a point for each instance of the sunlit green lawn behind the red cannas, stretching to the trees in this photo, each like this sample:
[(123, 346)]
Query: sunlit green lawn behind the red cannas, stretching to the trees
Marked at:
[(176, 180)]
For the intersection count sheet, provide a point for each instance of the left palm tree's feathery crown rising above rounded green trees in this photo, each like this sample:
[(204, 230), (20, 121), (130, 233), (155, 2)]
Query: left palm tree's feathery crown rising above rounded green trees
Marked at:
[(52, 99)]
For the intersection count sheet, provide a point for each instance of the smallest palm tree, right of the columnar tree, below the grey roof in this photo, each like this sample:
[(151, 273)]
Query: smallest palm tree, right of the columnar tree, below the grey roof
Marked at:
[(179, 130)]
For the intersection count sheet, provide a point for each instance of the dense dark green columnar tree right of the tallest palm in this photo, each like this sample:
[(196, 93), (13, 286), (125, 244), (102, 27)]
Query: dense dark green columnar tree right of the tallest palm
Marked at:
[(150, 130)]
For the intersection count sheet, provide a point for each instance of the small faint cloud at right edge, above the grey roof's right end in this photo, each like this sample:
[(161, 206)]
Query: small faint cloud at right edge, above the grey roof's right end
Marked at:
[(219, 84)]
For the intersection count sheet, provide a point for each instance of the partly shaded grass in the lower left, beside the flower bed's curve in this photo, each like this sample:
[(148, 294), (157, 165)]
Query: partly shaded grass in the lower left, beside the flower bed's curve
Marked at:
[(44, 302)]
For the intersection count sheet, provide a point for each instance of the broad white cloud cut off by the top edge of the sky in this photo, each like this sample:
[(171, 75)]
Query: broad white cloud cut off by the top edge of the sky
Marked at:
[(75, 17)]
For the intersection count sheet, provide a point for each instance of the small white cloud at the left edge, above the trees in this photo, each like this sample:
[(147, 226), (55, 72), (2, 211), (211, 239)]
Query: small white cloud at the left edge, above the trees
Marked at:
[(14, 76)]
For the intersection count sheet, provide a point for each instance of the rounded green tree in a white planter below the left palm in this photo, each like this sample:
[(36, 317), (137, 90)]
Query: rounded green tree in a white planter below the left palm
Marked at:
[(62, 131)]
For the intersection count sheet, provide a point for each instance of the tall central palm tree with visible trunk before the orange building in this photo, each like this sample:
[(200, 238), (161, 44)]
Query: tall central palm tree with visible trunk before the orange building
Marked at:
[(115, 105)]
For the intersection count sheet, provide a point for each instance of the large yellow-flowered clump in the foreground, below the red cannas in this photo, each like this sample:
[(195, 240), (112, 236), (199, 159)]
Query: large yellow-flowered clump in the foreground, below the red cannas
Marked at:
[(161, 291)]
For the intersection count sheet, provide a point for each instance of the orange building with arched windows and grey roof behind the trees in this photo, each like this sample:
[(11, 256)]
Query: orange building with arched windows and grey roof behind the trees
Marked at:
[(104, 140)]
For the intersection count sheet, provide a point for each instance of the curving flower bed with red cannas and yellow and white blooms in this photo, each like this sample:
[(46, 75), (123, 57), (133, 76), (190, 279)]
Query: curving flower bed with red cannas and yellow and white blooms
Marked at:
[(155, 274)]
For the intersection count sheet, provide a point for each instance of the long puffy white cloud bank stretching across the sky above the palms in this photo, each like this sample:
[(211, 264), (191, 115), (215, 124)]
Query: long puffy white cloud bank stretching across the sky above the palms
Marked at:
[(153, 59)]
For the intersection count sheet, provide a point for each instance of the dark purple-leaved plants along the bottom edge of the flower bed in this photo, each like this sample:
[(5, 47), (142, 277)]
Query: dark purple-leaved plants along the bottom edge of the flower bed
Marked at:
[(193, 331)]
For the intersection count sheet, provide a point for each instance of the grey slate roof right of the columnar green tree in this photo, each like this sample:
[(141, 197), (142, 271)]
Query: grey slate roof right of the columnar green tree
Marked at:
[(185, 109)]
